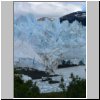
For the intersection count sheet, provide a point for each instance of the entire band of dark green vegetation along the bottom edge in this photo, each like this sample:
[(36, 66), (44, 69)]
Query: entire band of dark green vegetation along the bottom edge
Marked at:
[(76, 88)]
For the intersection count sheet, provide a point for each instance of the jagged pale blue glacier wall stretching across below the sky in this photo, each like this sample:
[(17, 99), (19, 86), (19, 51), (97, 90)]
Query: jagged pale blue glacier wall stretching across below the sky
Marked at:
[(40, 43)]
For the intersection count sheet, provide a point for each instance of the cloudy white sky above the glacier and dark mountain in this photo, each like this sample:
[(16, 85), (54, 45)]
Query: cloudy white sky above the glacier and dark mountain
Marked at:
[(48, 9)]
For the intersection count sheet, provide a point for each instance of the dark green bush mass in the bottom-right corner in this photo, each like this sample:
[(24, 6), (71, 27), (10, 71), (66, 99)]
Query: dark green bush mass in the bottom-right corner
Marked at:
[(76, 88)]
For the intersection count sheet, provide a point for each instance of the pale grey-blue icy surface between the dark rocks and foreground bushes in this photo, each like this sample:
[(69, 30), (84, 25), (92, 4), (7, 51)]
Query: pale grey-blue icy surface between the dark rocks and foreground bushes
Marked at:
[(45, 87)]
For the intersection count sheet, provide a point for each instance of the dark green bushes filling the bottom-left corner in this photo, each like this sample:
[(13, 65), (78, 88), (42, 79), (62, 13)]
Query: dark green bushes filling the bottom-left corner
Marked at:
[(24, 89)]
